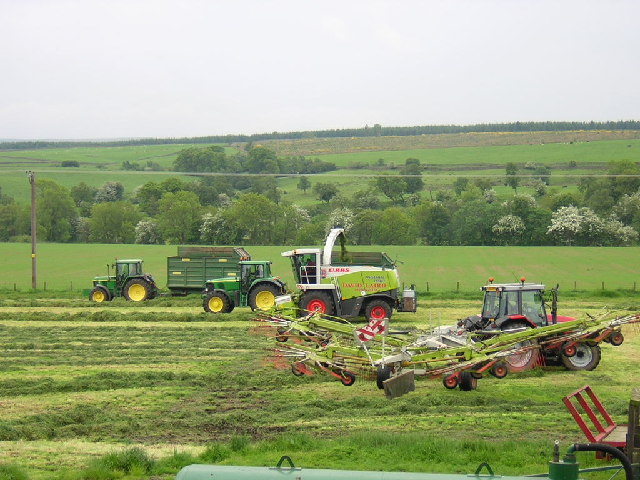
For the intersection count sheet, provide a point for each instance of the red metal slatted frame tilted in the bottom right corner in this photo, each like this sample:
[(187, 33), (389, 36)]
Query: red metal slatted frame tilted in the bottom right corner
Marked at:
[(605, 430)]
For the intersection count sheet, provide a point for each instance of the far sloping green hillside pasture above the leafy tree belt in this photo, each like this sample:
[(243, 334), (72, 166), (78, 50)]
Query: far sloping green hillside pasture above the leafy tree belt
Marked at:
[(101, 164)]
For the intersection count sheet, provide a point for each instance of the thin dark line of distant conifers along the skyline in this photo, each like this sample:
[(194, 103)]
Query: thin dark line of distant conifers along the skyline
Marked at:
[(366, 131)]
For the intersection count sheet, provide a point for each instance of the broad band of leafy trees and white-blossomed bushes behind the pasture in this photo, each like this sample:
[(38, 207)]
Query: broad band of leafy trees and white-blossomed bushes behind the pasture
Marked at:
[(393, 209)]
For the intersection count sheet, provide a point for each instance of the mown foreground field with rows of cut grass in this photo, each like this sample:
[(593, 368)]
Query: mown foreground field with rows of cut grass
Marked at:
[(79, 383)]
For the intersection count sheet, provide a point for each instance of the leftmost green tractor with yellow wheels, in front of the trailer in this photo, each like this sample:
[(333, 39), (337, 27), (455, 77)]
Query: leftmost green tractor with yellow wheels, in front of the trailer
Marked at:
[(129, 282)]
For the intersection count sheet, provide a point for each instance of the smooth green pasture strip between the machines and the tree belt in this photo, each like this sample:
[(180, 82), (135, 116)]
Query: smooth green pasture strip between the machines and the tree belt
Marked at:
[(440, 269)]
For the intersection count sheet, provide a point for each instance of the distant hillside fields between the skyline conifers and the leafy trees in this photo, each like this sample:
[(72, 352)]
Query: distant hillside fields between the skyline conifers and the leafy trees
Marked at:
[(447, 156)]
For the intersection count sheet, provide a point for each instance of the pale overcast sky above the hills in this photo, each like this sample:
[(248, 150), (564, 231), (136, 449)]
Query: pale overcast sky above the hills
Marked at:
[(169, 68)]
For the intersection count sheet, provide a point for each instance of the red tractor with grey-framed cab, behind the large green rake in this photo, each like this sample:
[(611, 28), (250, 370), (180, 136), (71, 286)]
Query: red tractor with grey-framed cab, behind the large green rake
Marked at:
[(510, 307)]
